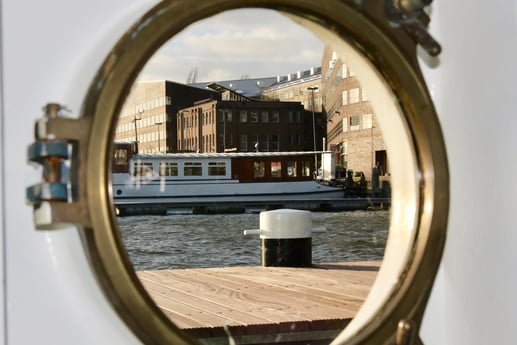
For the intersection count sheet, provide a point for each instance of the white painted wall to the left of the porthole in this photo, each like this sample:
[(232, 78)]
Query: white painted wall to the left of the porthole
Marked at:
[(51, 51)]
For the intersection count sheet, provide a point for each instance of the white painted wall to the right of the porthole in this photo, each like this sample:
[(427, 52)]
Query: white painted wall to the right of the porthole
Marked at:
[(475, 86)]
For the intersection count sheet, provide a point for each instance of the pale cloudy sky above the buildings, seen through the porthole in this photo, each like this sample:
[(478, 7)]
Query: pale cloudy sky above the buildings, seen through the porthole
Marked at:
[(255, 43)]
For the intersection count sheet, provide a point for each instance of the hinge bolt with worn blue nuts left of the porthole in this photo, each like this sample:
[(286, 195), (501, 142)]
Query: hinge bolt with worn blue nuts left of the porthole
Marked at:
[(53, 155)]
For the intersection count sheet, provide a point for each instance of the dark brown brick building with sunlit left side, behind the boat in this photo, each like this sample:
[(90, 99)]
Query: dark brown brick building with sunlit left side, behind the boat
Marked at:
[(244, 125)]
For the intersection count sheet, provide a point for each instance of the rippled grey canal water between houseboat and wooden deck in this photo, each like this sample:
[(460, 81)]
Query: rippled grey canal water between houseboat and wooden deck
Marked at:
[(194, 241)]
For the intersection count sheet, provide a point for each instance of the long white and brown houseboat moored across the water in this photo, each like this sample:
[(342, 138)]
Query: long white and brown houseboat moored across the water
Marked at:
[(230, 177)]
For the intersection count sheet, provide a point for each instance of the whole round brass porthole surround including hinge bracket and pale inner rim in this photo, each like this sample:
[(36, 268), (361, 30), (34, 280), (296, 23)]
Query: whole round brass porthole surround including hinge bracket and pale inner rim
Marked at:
[(383, 50)]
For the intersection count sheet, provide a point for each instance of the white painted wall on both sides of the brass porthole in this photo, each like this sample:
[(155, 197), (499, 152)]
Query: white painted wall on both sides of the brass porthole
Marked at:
[(50, 52)]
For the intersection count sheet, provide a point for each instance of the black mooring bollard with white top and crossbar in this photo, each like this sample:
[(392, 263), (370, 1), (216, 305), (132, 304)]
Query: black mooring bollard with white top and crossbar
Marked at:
[(286, 236)]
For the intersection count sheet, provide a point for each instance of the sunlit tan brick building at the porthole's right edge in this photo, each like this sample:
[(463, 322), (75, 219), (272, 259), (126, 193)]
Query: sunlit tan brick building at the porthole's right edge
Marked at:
[(351, 122)]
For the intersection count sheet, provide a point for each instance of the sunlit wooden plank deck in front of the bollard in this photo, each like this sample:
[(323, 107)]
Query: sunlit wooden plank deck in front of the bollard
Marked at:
[(254, 303)]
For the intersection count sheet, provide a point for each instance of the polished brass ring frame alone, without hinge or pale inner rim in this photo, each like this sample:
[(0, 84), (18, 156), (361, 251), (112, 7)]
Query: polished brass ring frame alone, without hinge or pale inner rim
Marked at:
[(363, 25)]
